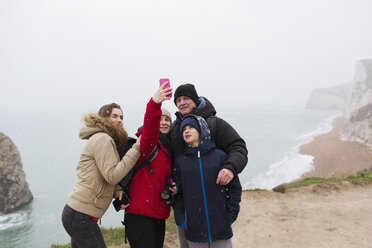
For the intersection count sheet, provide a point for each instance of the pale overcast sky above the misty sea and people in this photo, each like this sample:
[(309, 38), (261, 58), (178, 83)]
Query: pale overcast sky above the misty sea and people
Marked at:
[(83, 52)]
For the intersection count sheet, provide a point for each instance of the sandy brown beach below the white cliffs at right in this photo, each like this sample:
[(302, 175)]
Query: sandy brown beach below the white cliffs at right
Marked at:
[(333, 157)]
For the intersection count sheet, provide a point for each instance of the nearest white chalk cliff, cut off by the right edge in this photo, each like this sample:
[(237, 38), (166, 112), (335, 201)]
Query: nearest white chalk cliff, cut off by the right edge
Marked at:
[(358, 111)]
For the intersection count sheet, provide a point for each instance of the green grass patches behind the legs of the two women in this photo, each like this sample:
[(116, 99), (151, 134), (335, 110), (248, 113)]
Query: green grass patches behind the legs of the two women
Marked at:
[(115, 236)]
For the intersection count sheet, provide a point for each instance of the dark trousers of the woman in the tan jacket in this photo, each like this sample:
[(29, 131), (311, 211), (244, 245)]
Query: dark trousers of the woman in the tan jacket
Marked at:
[(84, 231)]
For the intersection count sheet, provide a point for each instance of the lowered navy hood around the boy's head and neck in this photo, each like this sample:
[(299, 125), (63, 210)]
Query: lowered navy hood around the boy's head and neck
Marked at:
[(206, 142)]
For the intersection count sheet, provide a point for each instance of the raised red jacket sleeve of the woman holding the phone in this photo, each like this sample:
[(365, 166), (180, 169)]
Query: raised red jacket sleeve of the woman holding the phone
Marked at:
[(151, 127)]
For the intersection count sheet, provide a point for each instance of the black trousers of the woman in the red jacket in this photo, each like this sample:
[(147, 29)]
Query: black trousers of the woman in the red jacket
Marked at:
[(143, 231)]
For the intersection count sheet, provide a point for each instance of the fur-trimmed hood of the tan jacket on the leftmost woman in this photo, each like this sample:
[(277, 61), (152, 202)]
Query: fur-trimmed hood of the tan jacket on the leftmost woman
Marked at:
[(95, 123)]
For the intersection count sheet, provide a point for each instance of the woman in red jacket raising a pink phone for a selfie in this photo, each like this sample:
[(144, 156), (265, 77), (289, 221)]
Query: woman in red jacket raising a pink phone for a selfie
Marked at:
[(146, 214)]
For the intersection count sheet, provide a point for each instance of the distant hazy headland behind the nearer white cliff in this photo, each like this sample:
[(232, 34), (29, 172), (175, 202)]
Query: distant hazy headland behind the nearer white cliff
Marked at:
[(329, 98)]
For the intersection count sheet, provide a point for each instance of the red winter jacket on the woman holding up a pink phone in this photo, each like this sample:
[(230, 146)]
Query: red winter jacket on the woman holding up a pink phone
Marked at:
[(145, 187)]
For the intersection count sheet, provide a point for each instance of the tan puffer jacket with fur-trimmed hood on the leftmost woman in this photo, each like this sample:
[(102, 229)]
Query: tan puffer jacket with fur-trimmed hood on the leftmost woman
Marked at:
[(99, 168)]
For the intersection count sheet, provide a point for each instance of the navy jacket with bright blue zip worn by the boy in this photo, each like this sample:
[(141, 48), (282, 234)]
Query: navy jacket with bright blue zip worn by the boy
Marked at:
[(205, 209)]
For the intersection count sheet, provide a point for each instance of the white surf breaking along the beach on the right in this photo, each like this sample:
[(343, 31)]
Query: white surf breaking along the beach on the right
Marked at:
[(293, 165)]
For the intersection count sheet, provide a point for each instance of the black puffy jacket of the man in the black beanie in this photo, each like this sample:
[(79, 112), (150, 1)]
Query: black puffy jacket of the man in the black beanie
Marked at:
[(223, 134)]
